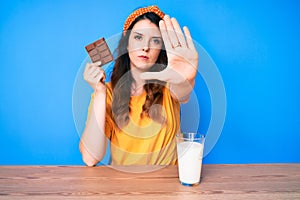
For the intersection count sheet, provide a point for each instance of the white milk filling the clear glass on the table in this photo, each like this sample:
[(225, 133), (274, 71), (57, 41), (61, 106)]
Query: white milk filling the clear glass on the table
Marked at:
[(189, 162)]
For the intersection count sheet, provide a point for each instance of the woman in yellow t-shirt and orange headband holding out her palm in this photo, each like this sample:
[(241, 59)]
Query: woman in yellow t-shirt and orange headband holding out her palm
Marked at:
[(139, 110)]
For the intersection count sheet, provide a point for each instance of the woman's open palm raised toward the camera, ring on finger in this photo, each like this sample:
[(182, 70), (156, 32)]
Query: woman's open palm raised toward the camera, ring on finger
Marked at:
[(181, 52)]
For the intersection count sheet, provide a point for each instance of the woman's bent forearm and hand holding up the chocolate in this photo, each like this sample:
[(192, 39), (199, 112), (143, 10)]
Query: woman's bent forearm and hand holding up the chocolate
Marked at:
[(93, 141)]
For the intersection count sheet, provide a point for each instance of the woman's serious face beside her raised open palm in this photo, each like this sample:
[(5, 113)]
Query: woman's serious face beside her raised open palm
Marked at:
[(144, 45)]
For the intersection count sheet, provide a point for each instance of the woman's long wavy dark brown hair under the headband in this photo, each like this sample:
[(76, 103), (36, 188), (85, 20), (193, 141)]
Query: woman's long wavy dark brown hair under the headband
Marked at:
[(122, 80)]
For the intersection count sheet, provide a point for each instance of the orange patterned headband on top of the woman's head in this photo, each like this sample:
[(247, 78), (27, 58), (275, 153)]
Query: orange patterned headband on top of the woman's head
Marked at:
[(140, 12)]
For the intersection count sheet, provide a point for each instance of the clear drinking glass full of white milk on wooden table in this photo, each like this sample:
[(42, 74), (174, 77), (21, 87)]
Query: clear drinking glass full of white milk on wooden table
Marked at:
[(189, 151)]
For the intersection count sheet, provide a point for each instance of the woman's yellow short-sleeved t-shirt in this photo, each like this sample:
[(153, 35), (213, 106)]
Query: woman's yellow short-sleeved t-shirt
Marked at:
[(143, 141)]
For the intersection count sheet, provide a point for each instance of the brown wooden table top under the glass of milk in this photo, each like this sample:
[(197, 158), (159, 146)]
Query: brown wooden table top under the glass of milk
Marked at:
[(253, 182)]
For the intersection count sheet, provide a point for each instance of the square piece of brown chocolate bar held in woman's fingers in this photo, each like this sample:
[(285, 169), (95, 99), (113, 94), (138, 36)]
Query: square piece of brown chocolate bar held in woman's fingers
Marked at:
[(99, 51)]
